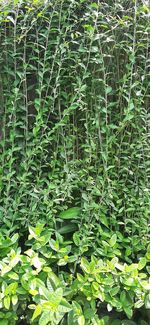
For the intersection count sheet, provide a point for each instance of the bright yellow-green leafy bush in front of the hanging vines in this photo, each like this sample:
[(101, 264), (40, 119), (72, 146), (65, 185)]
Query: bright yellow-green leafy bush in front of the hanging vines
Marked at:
[(33, 289)]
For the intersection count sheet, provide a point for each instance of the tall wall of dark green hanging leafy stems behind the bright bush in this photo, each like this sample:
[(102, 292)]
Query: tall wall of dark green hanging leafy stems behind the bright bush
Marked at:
[(74, 123)]
